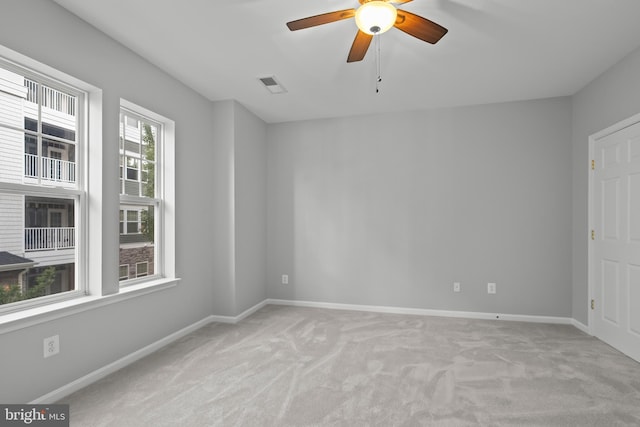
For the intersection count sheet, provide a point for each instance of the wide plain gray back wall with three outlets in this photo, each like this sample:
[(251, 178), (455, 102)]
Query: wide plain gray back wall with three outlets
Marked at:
[(392, 209)]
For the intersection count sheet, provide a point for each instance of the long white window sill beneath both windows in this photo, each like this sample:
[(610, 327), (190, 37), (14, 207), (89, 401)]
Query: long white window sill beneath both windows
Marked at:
[(29, 317)]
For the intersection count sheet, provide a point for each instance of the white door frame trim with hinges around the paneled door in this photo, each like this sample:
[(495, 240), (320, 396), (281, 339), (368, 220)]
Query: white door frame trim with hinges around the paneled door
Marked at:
[(635, 119)]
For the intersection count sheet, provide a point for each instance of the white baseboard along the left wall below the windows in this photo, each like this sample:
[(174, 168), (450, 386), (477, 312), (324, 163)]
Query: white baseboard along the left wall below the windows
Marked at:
[(100, 373)]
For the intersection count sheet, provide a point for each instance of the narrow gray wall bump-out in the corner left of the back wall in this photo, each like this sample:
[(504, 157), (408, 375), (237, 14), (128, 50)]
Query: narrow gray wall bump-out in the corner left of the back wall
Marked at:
[(239, 208)]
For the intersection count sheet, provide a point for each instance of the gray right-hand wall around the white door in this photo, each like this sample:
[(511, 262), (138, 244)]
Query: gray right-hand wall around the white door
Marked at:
[(611, 98)]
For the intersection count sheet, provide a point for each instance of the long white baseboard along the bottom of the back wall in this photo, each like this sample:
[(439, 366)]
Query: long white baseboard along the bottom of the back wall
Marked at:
[(427, 312)]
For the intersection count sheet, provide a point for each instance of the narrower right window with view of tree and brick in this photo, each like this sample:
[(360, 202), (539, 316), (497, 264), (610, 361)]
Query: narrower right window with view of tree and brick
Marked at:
[(141, 202)]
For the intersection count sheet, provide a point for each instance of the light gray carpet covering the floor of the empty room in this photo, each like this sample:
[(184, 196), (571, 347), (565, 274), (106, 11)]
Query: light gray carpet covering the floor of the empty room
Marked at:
[(287, 366)]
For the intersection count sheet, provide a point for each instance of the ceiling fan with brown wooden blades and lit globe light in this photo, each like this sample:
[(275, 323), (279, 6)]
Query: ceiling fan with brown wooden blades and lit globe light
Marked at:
[(375, 17)]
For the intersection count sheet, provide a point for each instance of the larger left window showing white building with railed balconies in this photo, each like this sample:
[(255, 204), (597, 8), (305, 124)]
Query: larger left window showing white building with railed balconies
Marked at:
[(41, 193)]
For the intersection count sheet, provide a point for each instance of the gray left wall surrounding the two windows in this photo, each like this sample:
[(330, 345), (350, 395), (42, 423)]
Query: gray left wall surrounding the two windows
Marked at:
[(90, 340)]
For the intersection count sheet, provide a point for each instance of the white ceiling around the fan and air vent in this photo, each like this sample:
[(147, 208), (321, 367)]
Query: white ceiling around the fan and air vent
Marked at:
[(495, 51)]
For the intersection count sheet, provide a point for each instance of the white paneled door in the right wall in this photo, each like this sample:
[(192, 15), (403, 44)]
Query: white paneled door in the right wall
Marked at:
[(614, 264)]
